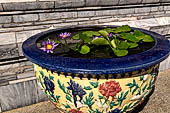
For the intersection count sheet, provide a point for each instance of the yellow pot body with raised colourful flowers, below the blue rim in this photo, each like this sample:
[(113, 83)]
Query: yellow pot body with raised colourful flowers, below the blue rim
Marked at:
[(95, 96)]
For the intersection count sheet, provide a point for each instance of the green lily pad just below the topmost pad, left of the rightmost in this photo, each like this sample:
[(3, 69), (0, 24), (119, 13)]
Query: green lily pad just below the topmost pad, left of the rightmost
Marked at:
[(129, 37)]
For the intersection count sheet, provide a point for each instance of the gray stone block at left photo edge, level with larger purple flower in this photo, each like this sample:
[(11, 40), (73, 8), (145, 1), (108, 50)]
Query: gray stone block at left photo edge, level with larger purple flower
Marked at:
[(8, 51)]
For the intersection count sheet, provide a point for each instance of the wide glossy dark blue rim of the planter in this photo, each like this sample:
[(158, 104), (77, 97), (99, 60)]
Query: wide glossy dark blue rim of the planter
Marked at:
[(125, 64)]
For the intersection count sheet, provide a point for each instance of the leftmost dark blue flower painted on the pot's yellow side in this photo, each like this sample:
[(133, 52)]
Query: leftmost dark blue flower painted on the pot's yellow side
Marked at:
[(49, 85)]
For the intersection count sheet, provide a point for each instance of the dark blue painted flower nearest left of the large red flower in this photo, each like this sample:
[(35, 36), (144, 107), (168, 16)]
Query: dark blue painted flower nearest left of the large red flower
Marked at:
[(77, 90)]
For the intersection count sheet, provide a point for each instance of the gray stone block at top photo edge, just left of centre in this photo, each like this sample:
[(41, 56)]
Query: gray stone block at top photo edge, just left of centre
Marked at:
[(69, 3)]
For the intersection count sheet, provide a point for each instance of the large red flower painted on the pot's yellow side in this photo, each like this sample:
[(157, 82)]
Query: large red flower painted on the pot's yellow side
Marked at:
[(109, 88)]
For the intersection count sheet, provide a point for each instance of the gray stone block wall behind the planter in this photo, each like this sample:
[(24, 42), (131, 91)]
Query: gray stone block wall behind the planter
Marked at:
[(20, 20)]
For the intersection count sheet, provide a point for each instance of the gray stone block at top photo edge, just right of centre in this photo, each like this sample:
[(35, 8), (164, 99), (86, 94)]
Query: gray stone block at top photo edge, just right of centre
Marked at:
[(101, 2)]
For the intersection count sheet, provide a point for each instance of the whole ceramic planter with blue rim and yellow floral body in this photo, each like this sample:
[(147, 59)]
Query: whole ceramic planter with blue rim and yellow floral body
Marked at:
[(108, 85)]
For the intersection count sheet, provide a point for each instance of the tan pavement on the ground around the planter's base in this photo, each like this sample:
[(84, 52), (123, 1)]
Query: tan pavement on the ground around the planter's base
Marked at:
[(158, 102)]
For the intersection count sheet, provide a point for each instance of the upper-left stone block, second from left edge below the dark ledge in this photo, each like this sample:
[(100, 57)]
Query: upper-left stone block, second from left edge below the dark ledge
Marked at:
[(25, 18)]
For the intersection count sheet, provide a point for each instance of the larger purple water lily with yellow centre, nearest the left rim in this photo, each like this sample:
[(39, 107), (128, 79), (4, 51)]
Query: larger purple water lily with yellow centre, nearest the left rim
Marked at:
[(48, 46)]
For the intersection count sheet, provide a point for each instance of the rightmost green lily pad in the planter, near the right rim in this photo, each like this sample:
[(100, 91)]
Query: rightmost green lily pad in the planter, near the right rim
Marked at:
[(144, 37)]
